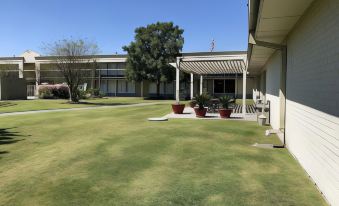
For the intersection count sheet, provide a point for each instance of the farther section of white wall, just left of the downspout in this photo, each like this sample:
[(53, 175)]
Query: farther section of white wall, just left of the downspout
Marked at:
[(273, 68)]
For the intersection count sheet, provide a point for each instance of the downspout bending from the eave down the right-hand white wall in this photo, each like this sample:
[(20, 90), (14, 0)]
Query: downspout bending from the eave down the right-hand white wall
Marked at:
[(283, 79)]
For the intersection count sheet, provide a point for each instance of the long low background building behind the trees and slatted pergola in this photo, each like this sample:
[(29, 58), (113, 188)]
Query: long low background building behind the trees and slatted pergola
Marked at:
[(31, 69)]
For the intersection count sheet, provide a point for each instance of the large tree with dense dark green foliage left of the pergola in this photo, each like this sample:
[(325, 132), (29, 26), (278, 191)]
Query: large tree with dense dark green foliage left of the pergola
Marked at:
[(149, 55)]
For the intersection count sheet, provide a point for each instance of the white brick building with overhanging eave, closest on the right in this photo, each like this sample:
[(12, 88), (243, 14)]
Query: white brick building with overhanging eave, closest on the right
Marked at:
[(293, 52)]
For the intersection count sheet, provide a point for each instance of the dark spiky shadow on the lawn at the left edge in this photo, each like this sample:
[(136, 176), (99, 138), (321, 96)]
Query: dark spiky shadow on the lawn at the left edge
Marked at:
[(9, 137)]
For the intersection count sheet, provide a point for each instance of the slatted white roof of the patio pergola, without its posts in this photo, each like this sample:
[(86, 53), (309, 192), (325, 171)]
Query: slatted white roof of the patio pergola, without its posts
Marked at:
[(212, 64)]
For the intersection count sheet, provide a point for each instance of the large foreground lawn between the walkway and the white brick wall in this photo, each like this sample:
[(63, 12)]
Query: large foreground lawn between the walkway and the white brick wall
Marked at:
[(116, 157)]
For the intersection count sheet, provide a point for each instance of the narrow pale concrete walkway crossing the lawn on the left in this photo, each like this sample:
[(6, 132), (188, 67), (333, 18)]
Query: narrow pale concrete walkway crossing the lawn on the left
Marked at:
[(74, 109)]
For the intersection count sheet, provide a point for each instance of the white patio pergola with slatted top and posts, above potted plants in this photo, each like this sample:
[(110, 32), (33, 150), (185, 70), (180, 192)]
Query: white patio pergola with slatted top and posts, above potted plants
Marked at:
[(212, 64)]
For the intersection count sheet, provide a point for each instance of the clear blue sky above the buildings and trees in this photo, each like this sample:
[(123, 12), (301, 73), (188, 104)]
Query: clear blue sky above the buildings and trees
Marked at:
[(28, 24)]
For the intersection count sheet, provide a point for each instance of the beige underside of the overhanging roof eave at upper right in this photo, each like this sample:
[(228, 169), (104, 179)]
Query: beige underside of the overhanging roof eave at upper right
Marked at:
[(271, 21)]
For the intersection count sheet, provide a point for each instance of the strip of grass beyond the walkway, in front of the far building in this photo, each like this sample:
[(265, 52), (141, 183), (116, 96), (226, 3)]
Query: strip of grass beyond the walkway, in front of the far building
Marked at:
[(43, 104)]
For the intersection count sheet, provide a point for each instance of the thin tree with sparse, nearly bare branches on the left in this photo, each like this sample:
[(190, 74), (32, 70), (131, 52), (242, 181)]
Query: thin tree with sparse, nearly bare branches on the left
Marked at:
[(75, 61)]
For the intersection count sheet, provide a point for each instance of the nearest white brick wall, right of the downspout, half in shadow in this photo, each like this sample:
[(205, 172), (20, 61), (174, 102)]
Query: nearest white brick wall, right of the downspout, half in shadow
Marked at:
[(312, 109)]
